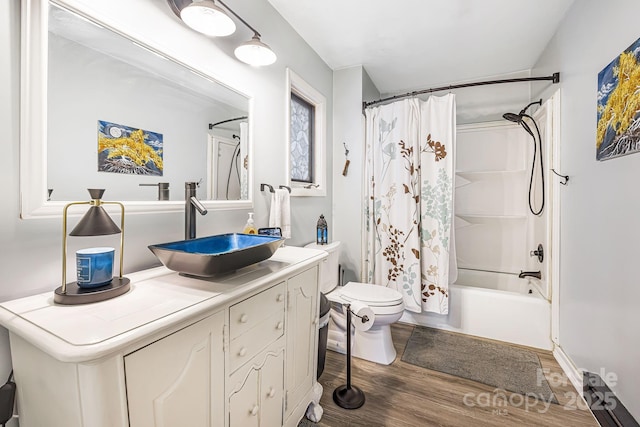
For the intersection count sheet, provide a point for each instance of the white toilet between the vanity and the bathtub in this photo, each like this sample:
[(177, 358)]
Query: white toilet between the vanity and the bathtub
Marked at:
[(387, 305)]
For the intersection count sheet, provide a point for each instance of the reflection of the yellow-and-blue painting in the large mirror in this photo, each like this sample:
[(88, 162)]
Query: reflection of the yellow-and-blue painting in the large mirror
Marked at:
[(129, 150)]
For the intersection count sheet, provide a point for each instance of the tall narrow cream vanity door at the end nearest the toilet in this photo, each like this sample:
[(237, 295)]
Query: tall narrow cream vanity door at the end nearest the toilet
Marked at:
[(302, 337)]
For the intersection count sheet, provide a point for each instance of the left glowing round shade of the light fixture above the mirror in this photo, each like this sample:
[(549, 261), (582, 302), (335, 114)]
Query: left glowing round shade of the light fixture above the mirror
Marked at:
[(207, 18)]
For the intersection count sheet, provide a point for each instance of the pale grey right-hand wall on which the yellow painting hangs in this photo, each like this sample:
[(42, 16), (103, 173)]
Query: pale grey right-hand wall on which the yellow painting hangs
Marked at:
[(599, 290)]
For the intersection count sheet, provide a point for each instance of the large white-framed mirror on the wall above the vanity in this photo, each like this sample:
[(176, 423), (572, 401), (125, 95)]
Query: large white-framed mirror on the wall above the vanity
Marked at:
[(103, 110)]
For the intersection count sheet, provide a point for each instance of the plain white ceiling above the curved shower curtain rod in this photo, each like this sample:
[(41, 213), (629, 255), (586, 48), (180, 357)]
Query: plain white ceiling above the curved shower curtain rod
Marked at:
[(416, 44)]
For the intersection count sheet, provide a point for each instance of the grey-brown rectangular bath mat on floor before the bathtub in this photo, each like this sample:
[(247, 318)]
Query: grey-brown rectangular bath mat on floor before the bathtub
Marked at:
[(497, 365)]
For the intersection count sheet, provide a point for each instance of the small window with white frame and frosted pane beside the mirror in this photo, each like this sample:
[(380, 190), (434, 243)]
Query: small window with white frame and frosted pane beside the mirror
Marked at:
[(306, 135)]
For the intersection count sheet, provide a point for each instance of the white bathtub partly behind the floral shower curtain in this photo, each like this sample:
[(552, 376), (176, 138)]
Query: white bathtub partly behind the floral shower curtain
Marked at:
[(493, 305)]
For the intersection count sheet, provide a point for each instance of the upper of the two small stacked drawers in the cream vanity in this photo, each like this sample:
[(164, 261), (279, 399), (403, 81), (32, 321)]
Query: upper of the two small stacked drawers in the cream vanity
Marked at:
[(247, 314)]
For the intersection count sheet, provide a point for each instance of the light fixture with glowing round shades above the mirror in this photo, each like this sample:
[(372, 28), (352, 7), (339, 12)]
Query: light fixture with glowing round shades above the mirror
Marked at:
[(207, 18)]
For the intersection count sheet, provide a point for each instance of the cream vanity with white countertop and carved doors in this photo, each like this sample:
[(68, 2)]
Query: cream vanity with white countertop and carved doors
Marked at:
[(239, 349)]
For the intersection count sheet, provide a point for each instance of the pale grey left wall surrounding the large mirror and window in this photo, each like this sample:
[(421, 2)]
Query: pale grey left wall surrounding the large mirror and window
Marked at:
[(30, 255)]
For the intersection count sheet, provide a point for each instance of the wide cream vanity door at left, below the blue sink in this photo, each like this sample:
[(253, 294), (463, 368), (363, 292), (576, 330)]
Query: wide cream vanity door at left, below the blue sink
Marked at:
[(179, 380)]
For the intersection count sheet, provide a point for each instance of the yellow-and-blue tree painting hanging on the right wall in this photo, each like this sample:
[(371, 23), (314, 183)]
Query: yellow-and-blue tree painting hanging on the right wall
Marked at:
[(618, 128)]
